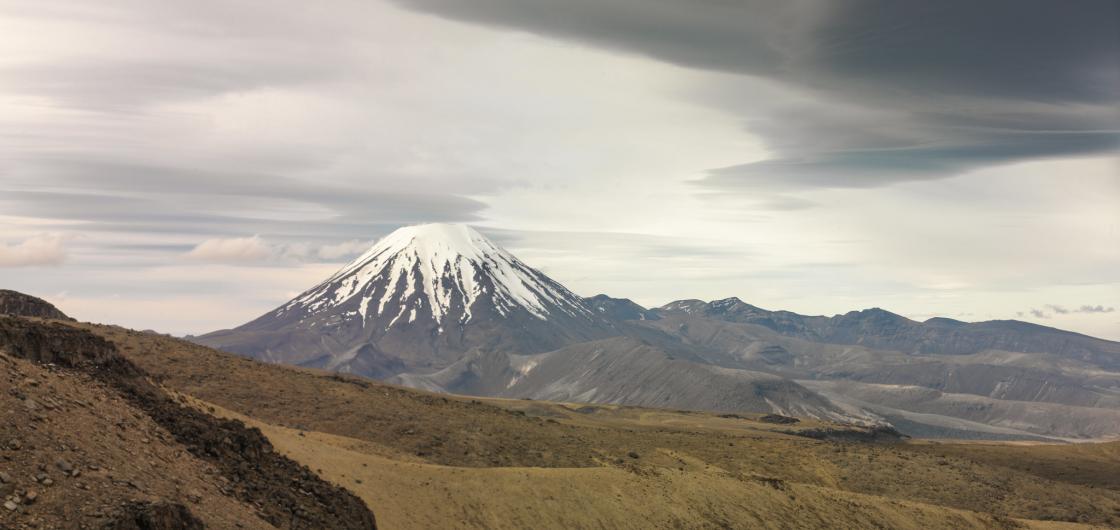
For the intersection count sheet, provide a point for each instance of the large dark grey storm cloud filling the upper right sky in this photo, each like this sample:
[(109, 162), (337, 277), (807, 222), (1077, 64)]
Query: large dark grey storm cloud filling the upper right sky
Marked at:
[(931, 89)]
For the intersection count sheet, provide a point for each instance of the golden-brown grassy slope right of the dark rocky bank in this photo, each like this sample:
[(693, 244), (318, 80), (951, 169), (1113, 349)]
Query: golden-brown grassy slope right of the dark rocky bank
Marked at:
[(430, 461)]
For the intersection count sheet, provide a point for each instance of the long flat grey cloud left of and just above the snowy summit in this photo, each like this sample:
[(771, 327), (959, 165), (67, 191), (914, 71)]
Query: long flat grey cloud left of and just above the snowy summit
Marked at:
[(148, 198)]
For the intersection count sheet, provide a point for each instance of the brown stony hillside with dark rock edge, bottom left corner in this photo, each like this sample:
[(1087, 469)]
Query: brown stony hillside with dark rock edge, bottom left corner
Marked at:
[(89, 441)]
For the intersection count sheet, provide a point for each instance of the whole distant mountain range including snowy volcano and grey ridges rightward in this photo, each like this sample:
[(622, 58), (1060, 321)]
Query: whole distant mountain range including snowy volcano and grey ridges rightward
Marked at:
[(444, 309)]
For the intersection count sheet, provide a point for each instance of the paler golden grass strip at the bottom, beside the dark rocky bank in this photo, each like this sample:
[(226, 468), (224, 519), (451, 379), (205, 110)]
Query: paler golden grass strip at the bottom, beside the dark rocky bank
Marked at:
[(638, 496)]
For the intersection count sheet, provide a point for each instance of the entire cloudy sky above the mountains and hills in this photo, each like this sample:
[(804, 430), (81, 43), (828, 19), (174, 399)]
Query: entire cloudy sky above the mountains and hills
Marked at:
[(189, 166)]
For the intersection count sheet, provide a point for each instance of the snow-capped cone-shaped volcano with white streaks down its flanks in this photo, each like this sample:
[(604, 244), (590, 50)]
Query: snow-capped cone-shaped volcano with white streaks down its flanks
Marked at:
[(419, 299)]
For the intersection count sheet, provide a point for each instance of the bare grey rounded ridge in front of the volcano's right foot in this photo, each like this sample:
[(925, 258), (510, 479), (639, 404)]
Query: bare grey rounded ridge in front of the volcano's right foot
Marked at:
[(627, 370)]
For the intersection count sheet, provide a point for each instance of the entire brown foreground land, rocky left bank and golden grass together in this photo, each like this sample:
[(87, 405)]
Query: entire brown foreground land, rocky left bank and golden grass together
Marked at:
[(116, 426)]
